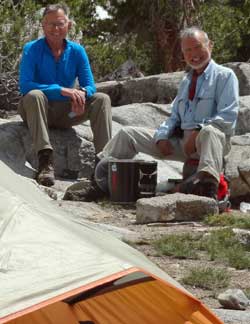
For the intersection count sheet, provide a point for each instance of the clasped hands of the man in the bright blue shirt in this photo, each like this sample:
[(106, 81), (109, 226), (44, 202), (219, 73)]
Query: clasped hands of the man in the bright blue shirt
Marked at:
[(78, 99)]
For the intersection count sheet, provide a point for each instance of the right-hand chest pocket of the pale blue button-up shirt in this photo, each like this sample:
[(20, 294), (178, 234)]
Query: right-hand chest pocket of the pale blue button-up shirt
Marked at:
[(205, 105)]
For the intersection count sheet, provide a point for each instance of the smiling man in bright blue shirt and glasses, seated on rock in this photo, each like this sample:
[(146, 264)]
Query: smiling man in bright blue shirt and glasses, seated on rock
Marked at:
[(49, 69)]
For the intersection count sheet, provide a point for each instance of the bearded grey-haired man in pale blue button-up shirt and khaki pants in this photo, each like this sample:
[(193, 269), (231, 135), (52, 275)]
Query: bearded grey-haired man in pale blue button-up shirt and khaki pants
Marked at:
[(203, 118)]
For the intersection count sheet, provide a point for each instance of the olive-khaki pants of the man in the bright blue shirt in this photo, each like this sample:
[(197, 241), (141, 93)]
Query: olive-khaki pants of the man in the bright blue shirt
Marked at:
[(40, 114)]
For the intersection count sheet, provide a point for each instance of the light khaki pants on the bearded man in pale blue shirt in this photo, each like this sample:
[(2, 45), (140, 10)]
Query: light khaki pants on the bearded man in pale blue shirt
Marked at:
[(211, 146)]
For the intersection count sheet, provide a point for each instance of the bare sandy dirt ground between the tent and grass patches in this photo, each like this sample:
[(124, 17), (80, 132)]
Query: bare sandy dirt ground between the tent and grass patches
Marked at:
[(124, 217)]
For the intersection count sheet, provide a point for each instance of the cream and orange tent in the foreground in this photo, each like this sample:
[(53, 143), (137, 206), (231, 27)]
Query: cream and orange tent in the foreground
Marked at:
[(54, 270)]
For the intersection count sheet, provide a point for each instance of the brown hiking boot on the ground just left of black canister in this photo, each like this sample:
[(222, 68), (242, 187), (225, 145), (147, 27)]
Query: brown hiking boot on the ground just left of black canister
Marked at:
[(87, 192)]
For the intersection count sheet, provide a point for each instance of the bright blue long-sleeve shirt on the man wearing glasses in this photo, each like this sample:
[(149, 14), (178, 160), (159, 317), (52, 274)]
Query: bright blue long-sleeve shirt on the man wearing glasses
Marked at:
[(39, 69)]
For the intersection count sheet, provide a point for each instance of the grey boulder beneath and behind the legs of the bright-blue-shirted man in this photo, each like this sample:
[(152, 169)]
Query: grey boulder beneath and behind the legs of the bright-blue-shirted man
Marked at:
[(73, 148)]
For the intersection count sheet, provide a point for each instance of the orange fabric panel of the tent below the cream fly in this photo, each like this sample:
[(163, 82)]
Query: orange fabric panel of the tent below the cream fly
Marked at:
[(144, 301)]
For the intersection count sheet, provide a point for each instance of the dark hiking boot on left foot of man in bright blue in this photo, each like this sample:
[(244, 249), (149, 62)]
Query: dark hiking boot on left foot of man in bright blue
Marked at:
[(45, 176)]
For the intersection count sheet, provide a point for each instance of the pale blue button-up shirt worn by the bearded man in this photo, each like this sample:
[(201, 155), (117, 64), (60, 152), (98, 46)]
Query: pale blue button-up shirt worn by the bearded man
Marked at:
[(216, 102)]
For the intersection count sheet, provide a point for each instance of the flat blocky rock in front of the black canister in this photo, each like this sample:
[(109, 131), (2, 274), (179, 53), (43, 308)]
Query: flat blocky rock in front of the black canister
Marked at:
[(174, 207)]
